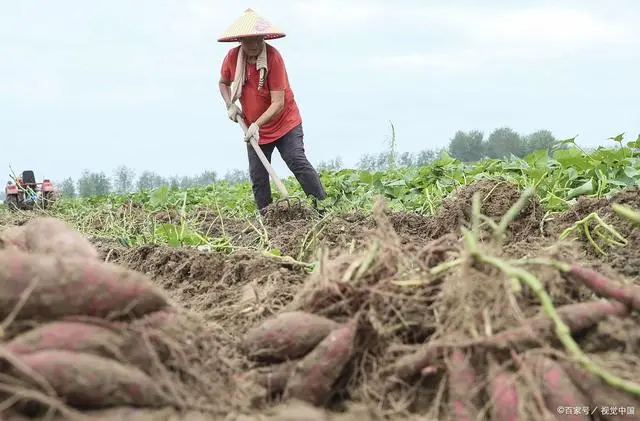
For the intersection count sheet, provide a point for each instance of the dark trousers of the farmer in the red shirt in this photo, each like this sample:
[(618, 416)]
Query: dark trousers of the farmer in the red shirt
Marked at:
[(291, 148)]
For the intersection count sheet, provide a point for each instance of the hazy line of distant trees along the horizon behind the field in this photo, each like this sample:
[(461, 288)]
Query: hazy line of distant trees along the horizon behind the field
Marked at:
[(469, 146)]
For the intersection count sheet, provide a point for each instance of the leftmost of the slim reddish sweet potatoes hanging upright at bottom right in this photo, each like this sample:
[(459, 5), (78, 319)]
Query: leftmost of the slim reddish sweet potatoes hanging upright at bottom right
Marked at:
[(462, 384)]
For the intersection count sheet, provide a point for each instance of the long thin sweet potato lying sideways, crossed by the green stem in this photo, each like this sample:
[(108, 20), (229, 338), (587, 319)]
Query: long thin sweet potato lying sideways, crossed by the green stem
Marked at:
[(577, 317)]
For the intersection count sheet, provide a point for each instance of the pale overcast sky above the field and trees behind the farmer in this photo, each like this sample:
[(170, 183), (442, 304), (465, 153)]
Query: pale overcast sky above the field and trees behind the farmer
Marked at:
[(96, 84)]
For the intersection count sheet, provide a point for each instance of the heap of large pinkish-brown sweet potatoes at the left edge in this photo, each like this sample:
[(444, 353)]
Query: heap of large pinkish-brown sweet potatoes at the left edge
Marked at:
[(68, 340)]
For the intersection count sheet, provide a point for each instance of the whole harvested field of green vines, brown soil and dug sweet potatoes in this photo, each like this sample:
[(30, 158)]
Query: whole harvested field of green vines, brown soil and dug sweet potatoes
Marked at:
[(446, 292)]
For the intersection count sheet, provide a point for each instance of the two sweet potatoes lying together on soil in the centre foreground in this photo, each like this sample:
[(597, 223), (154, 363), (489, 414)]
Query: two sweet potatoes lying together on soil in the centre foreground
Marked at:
[(306, 355)]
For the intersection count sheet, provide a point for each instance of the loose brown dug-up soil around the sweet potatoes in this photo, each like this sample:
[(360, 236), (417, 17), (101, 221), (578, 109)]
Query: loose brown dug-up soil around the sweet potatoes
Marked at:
[(230, 292)]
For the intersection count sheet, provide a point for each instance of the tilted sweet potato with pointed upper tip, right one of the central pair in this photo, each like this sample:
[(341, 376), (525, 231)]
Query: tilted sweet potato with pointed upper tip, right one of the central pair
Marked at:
[(313, 377)]
